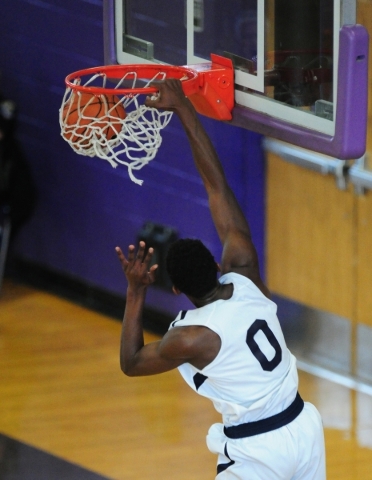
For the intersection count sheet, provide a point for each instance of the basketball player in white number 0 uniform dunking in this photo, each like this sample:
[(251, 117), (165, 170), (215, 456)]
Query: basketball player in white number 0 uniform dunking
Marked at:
[(230, 348)]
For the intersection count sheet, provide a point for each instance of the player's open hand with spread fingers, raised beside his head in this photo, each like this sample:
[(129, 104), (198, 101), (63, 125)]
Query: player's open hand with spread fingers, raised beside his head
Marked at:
[(136, 266)]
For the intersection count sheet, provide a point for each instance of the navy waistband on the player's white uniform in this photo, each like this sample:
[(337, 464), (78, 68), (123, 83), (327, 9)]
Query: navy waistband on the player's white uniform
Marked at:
[(267, 424)]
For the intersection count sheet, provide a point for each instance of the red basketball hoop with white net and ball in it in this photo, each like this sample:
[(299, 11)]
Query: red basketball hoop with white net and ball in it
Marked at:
[(101, 113)]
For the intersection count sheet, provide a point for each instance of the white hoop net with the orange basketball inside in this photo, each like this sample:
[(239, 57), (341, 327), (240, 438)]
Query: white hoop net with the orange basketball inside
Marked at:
[(115, 128)]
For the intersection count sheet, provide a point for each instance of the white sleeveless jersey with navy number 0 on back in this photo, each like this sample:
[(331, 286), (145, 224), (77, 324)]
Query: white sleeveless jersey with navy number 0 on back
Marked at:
[(254, 375)]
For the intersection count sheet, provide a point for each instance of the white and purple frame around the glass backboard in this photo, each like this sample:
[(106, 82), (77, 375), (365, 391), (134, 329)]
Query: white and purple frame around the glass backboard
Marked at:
[(344, 137)]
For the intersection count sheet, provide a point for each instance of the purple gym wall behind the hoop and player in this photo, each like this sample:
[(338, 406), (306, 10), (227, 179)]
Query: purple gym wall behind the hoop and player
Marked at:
[(85, 206)]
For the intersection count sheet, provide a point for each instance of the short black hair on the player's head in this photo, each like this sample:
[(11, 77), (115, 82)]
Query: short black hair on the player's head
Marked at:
[(191, 267)]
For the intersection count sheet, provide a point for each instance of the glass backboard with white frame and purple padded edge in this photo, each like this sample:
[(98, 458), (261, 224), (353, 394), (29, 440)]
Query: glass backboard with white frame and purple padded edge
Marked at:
[(300, 66)]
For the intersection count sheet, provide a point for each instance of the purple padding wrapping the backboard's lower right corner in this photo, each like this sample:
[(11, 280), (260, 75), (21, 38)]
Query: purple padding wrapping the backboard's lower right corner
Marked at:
[(349, 140)]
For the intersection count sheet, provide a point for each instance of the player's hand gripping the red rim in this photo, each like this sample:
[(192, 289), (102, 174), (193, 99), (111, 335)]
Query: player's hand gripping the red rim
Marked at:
[(170, 95)]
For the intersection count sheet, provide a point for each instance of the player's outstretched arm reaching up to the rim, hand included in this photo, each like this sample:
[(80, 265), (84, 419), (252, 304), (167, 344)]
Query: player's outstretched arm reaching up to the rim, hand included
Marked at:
[(239, 253)]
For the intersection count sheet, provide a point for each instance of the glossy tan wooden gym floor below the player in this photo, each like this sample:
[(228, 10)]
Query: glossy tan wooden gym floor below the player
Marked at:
[(62, 393)]
